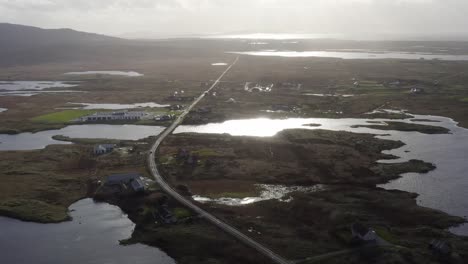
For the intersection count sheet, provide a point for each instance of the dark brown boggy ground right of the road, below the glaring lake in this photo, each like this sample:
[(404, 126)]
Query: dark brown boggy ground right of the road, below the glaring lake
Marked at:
[(313, 223)]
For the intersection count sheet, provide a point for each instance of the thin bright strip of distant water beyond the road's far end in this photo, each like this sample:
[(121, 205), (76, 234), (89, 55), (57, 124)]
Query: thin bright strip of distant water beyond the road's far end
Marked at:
[(355, 55)]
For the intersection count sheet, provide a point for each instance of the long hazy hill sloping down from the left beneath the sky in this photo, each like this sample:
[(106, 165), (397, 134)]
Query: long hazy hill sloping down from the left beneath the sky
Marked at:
[(25, 45)]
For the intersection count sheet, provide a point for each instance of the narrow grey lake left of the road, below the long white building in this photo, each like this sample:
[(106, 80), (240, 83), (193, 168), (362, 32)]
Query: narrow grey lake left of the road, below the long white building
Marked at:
[(29, 141)]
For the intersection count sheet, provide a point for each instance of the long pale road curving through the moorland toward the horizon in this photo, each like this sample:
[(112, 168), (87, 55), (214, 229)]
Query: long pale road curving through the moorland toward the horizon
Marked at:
[(168, 189)]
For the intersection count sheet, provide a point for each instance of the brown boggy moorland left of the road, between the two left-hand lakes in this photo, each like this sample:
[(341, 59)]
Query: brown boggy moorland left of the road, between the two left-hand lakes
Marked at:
[(40, 185)]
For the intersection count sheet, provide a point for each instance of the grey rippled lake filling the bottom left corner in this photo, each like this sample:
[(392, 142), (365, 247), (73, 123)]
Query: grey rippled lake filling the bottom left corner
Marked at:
[(91, 238)]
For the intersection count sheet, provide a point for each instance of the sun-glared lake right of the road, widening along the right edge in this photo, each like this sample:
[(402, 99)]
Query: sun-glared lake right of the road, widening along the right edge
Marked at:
[(444, 188)]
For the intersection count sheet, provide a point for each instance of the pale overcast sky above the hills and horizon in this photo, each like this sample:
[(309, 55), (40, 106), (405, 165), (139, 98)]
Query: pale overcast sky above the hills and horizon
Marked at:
[(150, 18)]
